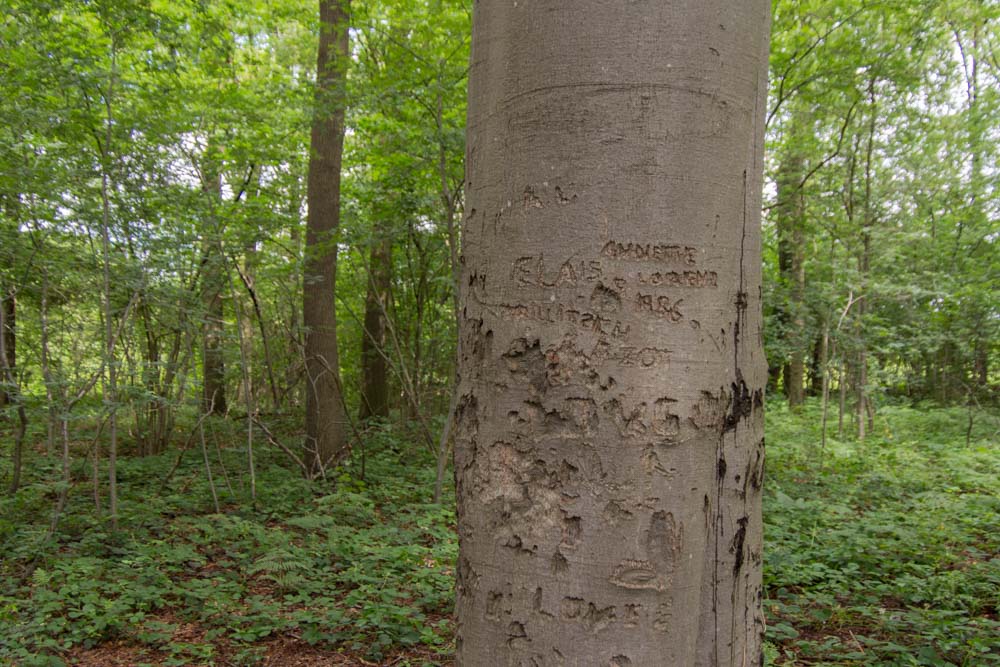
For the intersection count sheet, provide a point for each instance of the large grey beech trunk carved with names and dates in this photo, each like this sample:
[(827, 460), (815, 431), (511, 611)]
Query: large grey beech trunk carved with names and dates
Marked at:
[(609, 436)]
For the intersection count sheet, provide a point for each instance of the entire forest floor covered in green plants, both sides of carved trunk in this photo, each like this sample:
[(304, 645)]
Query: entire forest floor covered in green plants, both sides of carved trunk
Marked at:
[(885, 552)]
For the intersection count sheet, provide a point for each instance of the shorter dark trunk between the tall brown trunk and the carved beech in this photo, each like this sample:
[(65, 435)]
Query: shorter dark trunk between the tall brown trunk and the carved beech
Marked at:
[(374, 378)]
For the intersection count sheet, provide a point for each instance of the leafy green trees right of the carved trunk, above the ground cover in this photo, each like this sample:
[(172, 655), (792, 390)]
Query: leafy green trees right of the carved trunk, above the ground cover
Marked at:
[(882, 162)]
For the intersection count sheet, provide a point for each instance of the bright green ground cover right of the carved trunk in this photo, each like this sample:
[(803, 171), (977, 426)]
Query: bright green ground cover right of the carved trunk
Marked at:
[(884, 553)]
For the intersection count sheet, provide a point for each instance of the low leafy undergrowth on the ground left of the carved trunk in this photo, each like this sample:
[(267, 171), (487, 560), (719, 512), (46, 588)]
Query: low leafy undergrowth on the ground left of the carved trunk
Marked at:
[(368, 568)]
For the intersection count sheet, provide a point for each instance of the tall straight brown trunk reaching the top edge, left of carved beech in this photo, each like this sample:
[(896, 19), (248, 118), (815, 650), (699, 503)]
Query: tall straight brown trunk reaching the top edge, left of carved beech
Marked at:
[(326, 440)]
